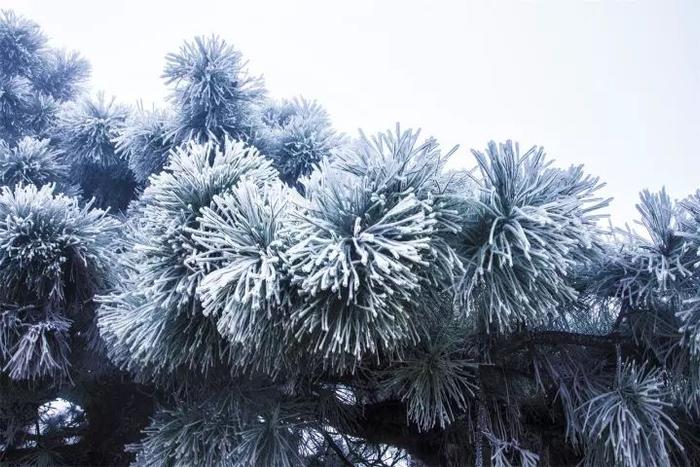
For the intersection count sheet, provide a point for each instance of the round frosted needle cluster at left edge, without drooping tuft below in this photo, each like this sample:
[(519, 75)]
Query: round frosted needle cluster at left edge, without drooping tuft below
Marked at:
[(48, 243)]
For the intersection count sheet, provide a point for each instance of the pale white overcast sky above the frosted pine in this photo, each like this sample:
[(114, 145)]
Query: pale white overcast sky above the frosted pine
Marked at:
[(611, 84)]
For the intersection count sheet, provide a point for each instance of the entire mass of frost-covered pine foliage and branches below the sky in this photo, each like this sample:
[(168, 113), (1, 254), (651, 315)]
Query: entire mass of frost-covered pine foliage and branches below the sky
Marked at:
[(265, 291)]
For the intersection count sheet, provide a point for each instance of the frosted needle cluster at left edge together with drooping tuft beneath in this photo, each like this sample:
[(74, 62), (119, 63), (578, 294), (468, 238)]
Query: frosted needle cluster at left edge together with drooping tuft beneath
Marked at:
[(54, 255)]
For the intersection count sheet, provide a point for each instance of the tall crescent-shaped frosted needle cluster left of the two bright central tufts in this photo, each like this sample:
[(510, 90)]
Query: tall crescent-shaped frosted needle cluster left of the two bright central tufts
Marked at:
[(156, 322)]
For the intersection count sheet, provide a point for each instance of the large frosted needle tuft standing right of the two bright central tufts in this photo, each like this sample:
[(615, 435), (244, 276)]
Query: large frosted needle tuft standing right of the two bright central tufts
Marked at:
[(529, 226)]
